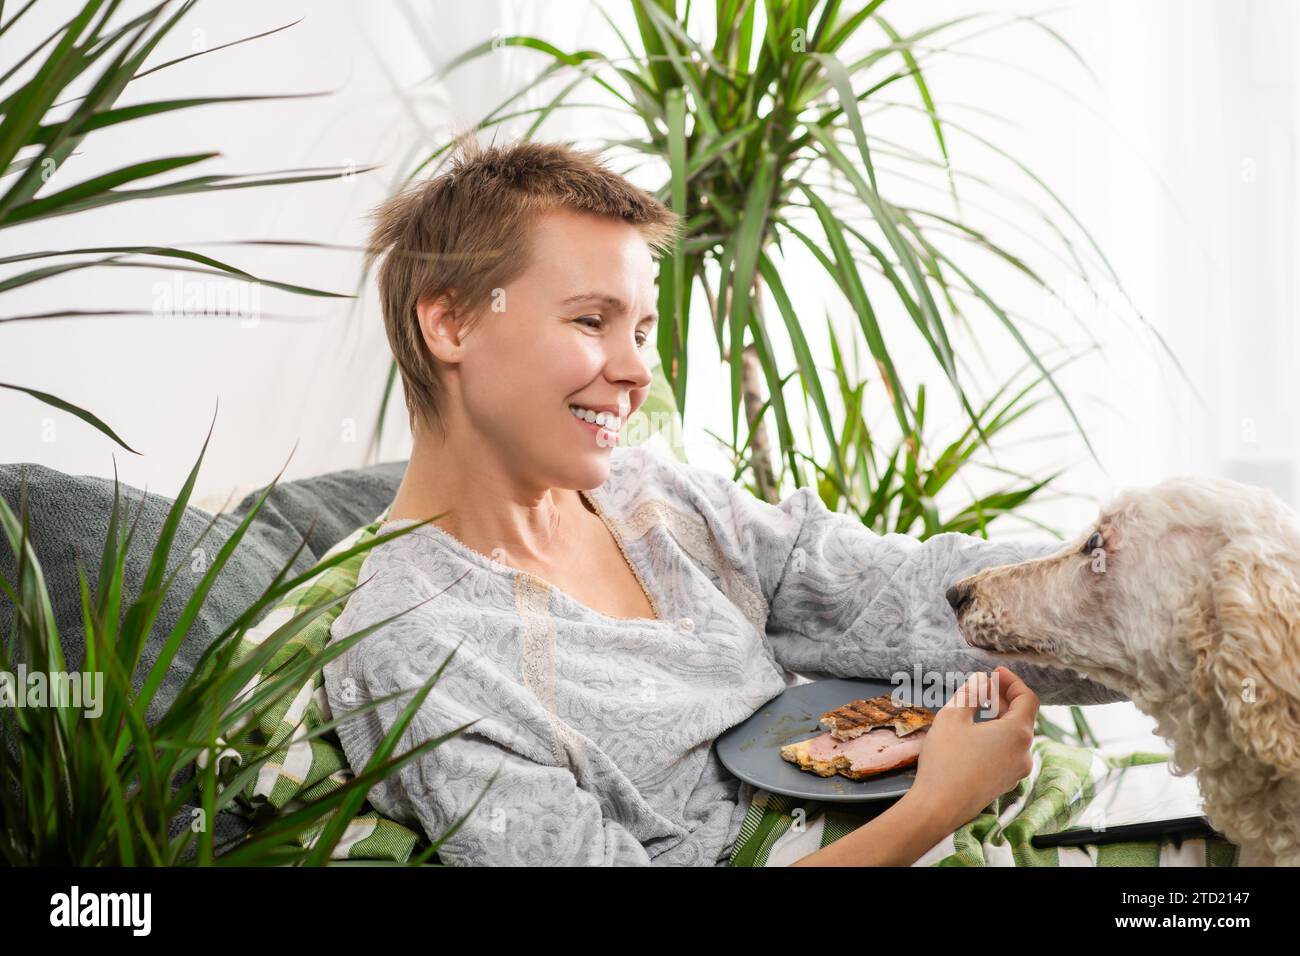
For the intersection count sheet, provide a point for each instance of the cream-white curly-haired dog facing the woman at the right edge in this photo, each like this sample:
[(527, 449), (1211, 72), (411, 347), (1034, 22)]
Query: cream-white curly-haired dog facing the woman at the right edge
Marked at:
[(1188, 599)]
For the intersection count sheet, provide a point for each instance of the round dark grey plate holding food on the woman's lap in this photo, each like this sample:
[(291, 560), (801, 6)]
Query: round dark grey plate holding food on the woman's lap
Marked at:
[(753, 750)]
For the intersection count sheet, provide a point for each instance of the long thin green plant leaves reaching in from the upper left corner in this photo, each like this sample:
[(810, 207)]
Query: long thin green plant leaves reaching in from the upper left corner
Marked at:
[(54, 98)]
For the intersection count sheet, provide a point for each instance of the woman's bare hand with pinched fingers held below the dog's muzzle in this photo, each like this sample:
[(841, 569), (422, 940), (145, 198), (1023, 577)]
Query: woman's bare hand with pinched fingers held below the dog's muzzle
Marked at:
[(964, 765)]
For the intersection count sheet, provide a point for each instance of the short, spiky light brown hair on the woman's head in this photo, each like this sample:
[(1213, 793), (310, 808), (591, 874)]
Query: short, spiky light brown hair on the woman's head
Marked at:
[(466, 233)]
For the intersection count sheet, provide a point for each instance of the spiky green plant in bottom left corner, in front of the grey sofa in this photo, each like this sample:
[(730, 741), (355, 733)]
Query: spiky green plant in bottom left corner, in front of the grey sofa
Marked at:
[(103, 789)]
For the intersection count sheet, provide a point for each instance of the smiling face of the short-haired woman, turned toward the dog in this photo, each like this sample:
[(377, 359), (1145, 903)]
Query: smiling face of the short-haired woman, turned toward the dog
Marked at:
[(578, 328)]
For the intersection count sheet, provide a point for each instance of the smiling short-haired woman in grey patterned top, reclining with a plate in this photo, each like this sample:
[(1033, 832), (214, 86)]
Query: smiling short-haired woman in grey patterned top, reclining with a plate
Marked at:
[(609, 613)]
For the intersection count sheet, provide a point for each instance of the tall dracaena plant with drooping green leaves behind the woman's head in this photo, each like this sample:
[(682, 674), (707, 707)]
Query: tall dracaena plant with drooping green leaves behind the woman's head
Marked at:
[(768, 123)]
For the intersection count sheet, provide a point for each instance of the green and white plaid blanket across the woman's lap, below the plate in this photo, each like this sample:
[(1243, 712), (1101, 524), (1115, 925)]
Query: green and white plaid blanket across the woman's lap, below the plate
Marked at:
[(778, 830)]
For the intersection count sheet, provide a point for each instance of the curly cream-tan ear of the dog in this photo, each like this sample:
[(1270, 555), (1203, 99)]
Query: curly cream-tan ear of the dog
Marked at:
[(1247, 646)]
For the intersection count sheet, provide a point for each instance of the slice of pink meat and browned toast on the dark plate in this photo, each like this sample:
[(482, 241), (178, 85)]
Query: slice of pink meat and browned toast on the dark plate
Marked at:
[(864, 738)]
